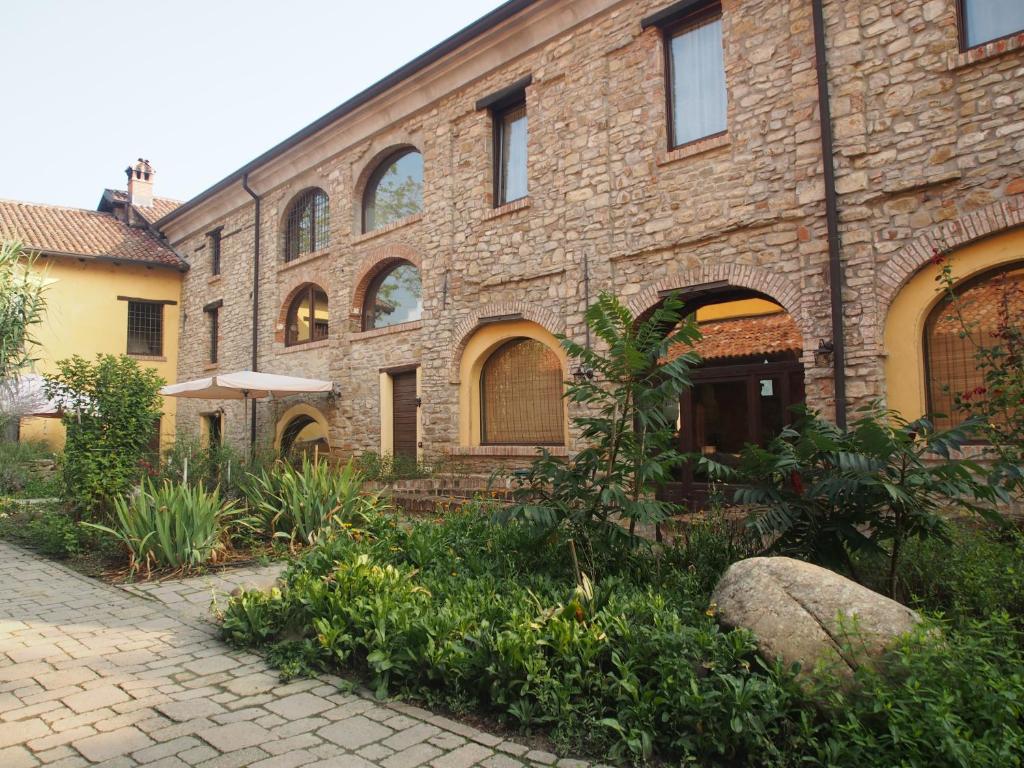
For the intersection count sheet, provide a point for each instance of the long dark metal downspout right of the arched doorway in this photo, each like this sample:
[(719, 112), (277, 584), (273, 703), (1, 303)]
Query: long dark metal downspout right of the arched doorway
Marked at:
[(832, 216)]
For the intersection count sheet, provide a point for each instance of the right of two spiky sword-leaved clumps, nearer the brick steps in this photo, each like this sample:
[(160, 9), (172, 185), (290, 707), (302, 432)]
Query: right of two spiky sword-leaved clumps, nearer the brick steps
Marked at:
[(303, 503)]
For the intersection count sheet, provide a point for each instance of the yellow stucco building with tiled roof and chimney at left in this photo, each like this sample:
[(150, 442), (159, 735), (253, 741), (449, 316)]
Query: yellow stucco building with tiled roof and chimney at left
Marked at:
[(113, 286)]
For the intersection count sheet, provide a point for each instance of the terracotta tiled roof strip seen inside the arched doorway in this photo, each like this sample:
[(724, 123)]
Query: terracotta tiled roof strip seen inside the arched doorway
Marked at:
[(746, 337)]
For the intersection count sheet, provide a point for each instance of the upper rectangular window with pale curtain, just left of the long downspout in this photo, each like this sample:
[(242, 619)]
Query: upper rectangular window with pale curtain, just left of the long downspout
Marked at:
[(698, 99)]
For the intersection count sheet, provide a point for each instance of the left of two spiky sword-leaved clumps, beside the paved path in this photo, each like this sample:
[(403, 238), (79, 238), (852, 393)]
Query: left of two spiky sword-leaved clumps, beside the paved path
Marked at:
[(170, 526)]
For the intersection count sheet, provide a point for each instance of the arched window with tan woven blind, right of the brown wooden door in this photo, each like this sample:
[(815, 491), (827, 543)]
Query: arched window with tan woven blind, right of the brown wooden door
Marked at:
[(522, 396)]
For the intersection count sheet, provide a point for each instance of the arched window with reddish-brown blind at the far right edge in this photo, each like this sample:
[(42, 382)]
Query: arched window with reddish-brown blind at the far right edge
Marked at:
[(986, 306)]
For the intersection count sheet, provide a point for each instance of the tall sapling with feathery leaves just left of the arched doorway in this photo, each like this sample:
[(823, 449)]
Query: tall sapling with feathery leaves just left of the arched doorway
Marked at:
[(629, 392)]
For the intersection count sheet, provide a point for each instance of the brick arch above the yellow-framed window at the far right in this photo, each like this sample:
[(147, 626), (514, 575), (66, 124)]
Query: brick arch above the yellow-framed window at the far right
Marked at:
[(944, 238)]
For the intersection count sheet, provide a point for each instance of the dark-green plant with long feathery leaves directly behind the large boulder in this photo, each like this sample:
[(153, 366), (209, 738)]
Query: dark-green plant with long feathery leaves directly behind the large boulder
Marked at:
[(822, 494)]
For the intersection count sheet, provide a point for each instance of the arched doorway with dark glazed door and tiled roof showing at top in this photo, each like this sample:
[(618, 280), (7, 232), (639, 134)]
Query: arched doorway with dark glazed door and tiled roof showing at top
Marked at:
[(744, 391)]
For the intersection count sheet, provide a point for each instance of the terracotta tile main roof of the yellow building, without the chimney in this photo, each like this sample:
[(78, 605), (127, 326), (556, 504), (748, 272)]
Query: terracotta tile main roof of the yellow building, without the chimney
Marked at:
[(81, 233)]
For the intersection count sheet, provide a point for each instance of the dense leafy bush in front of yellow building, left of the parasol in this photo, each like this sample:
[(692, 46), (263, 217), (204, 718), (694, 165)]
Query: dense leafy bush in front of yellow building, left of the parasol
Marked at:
[(112, 408)]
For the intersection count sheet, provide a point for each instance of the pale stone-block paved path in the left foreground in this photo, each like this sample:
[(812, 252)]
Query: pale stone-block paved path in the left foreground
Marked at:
[(92, 674)]
